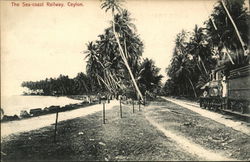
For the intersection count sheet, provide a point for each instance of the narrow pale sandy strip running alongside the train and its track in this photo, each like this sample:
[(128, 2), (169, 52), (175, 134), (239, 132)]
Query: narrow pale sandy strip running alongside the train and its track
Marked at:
[(237, 125)]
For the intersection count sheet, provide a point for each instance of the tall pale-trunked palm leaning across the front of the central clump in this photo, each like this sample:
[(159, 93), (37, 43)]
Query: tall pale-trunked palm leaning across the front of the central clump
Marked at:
[(115, 5)]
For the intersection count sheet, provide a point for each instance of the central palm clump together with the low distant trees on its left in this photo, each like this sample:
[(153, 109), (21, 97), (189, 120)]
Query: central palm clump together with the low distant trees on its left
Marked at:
[(114, 63)]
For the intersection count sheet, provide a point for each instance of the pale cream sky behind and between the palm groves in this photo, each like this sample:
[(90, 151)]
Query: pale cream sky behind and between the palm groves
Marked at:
[(40, 42)]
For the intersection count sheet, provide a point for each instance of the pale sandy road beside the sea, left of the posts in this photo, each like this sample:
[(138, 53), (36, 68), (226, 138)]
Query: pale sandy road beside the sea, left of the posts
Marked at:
[(25, 125)]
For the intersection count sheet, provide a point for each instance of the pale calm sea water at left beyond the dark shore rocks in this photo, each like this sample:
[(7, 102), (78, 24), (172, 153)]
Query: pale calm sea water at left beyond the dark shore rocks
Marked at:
[(12, 105)]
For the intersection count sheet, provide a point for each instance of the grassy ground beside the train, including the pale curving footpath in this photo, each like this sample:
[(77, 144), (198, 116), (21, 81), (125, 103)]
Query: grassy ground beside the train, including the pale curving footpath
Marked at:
[(204, 137)]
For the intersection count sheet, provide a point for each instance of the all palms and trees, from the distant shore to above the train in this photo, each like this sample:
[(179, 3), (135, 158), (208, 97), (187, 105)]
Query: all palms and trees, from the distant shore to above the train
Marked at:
[(115, 62)]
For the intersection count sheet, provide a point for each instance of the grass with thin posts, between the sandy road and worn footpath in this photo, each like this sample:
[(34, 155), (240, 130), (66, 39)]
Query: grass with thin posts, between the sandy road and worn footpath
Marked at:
[(86, 138)]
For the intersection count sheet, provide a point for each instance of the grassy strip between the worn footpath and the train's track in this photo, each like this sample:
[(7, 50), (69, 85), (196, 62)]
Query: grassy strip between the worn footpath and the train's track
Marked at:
[(201, 130)]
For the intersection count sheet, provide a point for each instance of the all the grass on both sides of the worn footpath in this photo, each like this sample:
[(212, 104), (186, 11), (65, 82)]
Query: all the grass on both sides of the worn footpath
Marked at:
[(129, 138)]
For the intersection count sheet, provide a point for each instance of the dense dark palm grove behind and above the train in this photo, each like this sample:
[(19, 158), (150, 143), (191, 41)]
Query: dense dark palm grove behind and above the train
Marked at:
[(198, 52)]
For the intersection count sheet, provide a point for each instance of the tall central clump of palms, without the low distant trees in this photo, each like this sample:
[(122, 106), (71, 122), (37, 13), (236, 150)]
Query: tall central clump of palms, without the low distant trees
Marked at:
[(115, 59)]
